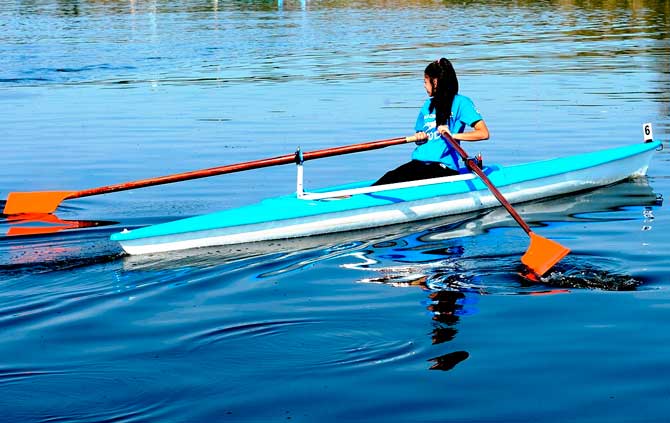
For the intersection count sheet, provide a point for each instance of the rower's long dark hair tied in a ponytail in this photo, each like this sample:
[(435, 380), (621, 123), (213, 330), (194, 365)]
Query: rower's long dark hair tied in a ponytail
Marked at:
[(447, 87)]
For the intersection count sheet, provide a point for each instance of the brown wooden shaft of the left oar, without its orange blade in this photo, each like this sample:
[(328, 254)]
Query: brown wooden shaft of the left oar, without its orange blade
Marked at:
[(238, 167)]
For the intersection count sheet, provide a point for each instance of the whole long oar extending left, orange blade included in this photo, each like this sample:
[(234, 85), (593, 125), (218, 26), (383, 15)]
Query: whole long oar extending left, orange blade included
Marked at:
[(48, 201)]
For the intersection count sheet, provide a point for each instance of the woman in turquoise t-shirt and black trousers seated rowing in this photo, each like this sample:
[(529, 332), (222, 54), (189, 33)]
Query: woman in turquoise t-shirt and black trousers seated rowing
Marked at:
[(445, 112)]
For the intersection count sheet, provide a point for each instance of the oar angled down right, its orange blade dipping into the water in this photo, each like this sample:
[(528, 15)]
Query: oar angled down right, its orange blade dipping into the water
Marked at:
[(542, 253)]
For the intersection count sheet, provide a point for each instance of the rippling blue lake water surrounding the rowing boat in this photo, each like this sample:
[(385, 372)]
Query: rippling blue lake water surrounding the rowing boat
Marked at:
[(423, 322)]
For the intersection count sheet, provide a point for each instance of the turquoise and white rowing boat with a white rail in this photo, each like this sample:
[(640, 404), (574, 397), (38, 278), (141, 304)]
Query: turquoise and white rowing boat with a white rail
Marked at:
[(361, 206)]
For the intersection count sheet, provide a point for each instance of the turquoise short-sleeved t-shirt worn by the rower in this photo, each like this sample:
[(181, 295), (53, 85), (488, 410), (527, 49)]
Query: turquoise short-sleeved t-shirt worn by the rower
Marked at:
[(437, 149)]
